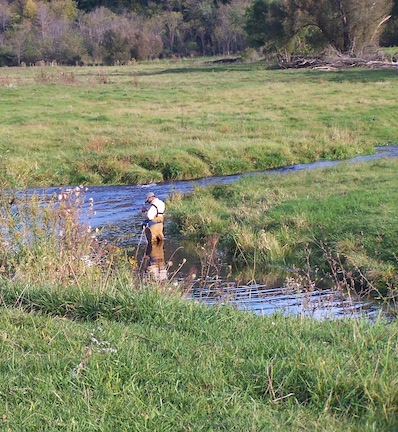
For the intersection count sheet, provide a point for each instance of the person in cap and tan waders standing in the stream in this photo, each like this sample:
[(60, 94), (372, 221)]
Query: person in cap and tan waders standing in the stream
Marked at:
[(153, 224)]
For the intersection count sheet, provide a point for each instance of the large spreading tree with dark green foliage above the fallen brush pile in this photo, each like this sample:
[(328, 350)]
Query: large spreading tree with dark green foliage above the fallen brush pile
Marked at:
[(346, 26)]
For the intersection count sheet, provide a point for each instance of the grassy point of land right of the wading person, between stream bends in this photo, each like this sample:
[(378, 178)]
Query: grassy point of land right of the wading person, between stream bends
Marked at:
[(341, 220)]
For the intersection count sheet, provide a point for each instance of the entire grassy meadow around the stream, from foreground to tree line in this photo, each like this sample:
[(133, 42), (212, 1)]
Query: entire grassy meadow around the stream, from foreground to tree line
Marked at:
[(87, 345)]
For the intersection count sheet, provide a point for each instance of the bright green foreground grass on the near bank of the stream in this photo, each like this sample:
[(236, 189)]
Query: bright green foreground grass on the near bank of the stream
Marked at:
[(137, 359)]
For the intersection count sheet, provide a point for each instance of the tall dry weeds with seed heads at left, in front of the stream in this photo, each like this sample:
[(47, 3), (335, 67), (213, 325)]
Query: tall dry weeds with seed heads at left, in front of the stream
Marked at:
[(48, 240)]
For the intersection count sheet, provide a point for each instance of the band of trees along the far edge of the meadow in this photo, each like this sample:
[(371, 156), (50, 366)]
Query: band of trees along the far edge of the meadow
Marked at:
[(117, 31)]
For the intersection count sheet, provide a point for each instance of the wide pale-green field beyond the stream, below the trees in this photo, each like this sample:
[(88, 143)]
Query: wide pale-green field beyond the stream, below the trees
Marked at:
[(178, 120)]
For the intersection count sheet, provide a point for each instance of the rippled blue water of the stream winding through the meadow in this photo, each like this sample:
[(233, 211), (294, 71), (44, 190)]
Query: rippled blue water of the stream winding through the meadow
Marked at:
[(118, 214)]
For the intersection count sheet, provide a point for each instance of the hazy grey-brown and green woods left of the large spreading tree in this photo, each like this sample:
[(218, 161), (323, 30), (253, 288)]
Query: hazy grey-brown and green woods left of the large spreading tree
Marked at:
[(120, 31)]
